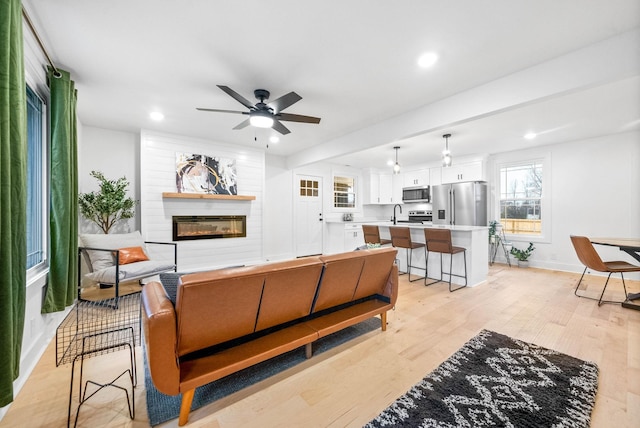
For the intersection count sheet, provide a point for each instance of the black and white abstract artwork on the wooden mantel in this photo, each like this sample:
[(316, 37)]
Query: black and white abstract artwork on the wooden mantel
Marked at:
[(205, 174)]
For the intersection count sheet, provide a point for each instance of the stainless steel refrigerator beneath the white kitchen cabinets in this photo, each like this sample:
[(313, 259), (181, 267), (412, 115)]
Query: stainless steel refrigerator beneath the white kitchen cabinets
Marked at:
[(461, 204)]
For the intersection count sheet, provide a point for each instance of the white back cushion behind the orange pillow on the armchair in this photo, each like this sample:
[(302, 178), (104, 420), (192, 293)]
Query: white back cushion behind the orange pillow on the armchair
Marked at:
[(104, 259)]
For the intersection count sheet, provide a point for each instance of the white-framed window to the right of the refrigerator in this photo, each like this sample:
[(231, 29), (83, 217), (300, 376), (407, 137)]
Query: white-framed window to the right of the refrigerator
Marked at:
[(521, 203)]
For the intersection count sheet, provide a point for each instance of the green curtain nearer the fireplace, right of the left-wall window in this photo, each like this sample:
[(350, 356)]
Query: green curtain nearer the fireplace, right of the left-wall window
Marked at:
[(63, 218)]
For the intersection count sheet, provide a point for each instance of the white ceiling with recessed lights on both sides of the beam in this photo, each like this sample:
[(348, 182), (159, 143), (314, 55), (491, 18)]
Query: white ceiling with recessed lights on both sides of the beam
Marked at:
[(353, 62)]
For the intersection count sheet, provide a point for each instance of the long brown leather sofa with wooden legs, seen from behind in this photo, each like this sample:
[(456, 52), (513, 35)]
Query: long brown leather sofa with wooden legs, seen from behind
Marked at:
[(229, 319)]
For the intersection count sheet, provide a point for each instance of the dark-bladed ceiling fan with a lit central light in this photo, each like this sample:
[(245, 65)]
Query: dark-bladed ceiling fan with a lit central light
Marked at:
[(266, 115)]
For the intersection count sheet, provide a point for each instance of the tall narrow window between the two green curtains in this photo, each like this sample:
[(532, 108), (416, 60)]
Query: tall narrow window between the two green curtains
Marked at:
[(36, 183)]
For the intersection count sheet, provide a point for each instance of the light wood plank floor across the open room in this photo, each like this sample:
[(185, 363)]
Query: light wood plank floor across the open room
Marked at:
[(351, 384)]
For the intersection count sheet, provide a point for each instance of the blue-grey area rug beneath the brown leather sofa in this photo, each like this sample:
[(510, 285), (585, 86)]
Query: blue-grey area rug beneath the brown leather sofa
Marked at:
[(161, 407)]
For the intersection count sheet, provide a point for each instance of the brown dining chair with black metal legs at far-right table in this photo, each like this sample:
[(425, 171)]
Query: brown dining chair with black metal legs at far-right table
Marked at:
[(590, 258)]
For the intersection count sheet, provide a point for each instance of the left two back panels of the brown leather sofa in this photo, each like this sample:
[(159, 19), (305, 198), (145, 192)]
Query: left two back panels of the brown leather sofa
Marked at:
[(216, 306)]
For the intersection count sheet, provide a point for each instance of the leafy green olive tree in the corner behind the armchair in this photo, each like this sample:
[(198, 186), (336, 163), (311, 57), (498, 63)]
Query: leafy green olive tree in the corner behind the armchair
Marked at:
[(108, 205)]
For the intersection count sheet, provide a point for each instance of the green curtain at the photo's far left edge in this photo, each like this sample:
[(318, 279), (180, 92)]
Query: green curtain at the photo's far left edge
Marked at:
[(13, 195)]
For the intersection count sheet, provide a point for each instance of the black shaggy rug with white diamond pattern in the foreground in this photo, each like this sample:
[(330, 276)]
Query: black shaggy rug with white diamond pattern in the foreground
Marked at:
[(497, 381)]
